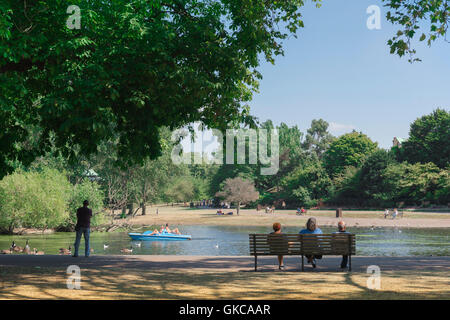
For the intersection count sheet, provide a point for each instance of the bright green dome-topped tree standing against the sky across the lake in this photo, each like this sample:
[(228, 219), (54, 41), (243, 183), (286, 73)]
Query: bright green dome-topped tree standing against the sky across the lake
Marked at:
[(348, 150)]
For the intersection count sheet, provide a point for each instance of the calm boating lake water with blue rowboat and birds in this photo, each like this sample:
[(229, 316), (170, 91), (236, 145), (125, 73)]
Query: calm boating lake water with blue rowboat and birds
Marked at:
[(233, 241)]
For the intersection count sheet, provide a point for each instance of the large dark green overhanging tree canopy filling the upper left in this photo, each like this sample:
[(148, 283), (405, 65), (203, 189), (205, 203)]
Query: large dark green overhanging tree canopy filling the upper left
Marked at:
[(132, 67)]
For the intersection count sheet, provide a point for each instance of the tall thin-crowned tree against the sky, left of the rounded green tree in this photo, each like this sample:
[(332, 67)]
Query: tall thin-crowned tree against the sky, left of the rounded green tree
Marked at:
[(317, 137)]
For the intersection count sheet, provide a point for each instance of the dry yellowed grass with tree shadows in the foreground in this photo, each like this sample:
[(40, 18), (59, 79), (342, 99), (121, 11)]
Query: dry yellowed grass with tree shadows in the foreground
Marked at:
[(31, 283)]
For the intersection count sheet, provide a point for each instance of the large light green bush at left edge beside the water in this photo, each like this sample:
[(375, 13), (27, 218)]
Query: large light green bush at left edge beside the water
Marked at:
[(33, 199)]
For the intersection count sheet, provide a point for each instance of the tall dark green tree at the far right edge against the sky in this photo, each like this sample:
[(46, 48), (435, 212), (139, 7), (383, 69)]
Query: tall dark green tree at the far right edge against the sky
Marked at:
[(428, 140)]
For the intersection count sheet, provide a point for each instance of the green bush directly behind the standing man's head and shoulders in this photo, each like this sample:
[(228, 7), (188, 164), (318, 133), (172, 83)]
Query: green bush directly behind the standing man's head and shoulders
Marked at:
[(87, 190)]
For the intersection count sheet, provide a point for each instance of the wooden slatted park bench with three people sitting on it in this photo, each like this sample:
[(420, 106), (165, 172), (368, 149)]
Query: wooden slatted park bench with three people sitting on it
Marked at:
[(302, 244)]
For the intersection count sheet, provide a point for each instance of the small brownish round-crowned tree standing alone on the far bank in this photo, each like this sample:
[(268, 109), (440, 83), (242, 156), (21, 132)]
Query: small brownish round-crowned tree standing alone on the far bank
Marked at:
[(238, 191)]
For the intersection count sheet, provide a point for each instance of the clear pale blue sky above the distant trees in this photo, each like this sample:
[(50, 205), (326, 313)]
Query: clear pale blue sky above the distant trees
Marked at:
[(339, 70)]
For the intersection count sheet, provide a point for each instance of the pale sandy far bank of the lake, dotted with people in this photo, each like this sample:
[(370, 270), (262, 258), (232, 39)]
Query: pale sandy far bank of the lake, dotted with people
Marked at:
[(250, 217)]
